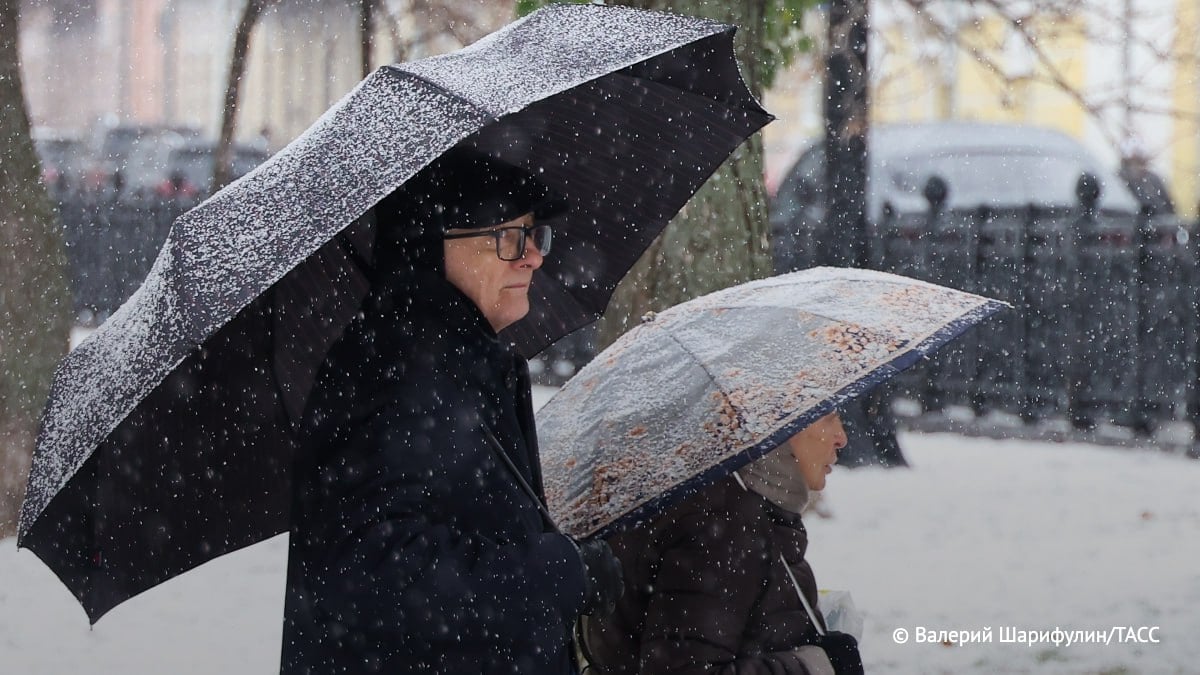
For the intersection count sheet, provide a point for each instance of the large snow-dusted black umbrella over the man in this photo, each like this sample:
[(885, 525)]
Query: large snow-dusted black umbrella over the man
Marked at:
[(169, 435)]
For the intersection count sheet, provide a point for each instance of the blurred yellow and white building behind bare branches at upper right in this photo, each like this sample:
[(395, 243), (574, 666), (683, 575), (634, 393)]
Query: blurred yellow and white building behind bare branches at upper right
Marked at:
[(1123, 76)]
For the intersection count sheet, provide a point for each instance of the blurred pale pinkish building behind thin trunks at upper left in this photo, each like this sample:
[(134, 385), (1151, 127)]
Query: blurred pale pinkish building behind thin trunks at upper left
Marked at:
[(93, 63)]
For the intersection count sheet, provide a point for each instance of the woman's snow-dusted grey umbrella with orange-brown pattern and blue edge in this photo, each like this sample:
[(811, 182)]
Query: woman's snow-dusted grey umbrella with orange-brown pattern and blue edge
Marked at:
[(698, 391)]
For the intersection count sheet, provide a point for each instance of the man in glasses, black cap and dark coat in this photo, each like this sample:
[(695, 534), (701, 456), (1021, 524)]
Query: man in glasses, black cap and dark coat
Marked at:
[(421, 540)]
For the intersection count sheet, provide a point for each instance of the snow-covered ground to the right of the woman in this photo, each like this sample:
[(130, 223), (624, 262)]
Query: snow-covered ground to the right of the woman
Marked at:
[(1022, 536)]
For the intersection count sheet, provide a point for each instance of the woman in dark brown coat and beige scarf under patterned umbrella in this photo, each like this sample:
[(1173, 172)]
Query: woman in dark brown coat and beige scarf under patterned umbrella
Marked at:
[(707, 586)]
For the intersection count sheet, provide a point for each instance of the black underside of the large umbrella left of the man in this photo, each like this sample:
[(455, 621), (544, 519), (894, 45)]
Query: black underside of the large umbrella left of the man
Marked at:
[(211, 446)]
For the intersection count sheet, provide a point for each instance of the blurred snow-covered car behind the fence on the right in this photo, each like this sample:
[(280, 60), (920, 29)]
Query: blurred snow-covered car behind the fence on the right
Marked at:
[(979, 164)]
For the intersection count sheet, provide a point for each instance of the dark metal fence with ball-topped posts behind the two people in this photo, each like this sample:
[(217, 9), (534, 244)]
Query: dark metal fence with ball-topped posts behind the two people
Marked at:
[(1103, 330)]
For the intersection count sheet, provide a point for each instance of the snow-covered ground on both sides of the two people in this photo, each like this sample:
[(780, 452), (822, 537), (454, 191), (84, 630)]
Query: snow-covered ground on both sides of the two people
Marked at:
[(1003, 535)]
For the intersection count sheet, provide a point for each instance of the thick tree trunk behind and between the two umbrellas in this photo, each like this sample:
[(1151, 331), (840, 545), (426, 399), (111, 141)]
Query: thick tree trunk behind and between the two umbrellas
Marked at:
[(721, 238)]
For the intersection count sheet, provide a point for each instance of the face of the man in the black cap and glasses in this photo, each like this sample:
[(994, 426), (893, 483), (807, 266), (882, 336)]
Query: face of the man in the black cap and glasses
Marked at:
[(500, 289)]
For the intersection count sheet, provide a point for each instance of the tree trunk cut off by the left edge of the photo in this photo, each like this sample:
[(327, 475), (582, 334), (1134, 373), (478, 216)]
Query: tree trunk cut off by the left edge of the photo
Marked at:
[(34, 298)]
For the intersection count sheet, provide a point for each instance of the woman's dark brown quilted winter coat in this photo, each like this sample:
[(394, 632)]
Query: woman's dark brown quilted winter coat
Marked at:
[(706, 590)]
